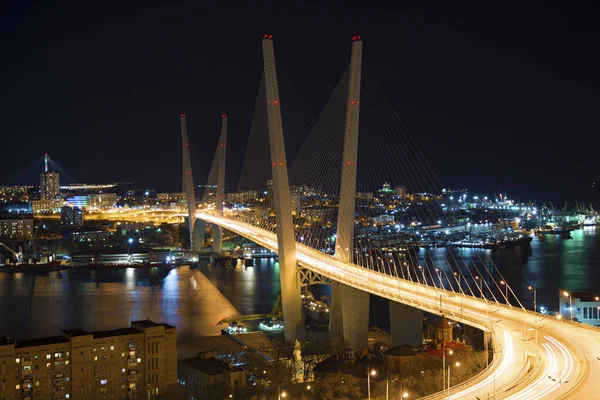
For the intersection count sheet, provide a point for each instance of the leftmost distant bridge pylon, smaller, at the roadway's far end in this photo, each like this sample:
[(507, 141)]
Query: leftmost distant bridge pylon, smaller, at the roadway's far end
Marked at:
[(196, 228)]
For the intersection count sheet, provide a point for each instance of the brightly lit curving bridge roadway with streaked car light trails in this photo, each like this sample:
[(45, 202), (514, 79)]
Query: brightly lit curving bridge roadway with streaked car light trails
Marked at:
[(522, 369)]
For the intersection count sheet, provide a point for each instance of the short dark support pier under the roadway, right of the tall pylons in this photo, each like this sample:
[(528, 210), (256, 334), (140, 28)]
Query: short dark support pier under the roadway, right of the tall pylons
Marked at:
[(406, 324)]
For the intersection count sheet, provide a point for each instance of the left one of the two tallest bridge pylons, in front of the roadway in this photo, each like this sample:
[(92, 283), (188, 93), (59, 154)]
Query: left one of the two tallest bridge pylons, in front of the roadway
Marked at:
[(286, 245)]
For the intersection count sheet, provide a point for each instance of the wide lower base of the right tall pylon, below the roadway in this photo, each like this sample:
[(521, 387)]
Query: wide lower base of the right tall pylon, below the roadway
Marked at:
[(349, 317)]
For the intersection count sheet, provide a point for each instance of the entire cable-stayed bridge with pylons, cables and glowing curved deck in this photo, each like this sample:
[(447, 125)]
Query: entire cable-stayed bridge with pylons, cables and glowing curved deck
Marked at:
[(324, 223)]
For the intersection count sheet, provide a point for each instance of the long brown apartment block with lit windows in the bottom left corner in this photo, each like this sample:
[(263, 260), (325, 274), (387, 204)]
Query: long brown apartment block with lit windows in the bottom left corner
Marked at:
[(135, 362)]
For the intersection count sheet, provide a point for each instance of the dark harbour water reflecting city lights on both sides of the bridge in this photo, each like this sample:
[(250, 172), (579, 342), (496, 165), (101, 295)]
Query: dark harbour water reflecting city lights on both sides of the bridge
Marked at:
[(34, 305)]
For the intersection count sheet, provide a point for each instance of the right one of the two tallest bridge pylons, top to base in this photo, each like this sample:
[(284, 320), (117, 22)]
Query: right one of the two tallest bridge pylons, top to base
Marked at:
[(349, 318)]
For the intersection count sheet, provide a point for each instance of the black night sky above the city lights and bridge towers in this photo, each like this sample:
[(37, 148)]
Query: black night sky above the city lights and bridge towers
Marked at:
[(500, 97)]
